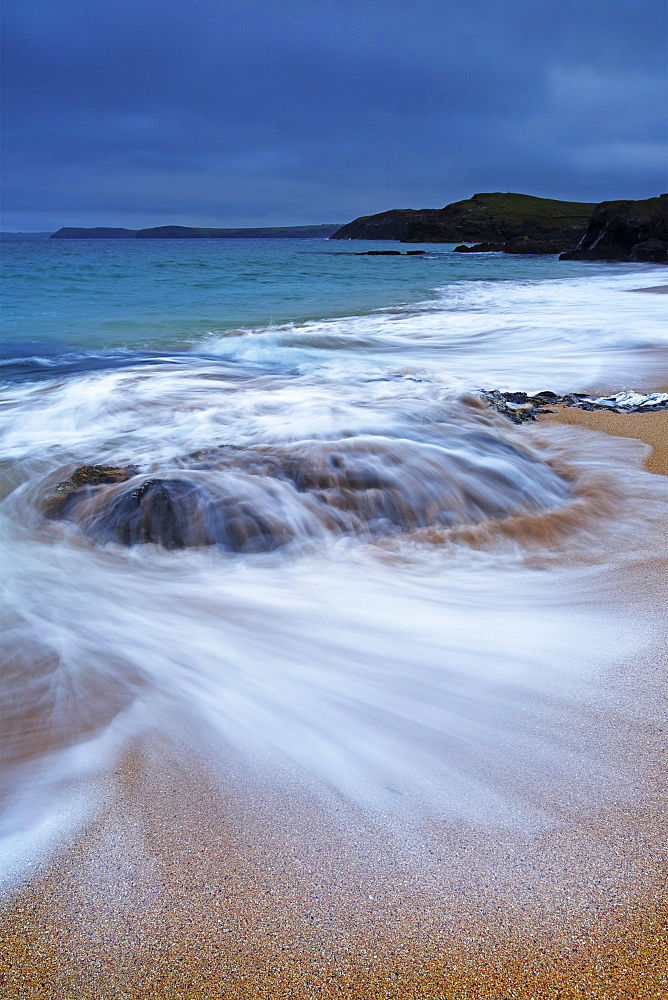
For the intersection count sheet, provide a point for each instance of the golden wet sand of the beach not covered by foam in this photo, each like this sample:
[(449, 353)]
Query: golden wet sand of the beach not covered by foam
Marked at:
[(193, 885)]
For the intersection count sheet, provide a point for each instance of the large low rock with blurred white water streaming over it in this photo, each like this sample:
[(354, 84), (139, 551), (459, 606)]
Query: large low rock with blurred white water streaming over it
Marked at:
[(257, 499)]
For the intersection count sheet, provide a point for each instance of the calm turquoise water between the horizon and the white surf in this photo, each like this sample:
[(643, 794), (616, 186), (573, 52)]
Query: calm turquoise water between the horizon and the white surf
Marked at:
[(160, 294)]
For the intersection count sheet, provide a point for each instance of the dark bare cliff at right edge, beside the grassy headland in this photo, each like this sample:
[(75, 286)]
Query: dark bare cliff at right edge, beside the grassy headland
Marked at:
[(627, 231)]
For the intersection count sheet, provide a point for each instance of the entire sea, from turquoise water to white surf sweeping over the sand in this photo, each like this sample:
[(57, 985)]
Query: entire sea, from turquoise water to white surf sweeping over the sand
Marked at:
[(322, 549)]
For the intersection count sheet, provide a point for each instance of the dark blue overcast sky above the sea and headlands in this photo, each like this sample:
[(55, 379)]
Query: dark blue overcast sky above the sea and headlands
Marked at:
[(245, 112)]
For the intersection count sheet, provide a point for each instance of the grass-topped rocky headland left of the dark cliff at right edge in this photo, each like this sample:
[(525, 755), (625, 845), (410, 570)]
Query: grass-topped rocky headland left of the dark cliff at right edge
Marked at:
[(495, 217)]
